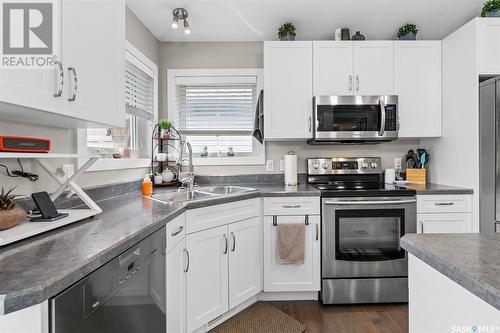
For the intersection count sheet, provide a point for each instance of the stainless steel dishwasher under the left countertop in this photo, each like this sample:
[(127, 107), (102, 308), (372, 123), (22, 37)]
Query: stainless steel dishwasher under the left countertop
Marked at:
[(125, 295)]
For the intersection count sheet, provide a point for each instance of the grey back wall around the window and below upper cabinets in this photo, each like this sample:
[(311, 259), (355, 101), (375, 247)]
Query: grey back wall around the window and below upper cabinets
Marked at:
[(250, 55)]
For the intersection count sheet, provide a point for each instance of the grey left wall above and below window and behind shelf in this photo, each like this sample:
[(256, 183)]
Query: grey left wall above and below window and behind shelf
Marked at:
[(64, 140)]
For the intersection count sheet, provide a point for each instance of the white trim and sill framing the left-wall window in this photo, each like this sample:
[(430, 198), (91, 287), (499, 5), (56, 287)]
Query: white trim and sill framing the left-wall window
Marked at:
[(139, 59)]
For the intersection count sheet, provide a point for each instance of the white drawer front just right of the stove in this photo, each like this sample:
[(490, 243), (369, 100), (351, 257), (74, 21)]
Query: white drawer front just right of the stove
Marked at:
[(444, 203)]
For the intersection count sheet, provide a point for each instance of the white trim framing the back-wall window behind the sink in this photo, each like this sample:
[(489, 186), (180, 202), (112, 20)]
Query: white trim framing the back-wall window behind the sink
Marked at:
[(244, 73)]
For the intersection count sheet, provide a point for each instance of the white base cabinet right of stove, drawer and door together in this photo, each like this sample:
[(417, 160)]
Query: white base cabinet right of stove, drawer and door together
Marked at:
[(444, 213)]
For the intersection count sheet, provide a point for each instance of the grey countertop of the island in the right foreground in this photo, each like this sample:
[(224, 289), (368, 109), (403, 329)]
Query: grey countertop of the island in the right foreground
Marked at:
[(476, 267)]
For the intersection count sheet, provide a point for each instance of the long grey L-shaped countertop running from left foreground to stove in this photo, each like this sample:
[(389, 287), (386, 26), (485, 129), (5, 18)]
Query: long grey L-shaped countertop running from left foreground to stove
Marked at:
[(38, 268)]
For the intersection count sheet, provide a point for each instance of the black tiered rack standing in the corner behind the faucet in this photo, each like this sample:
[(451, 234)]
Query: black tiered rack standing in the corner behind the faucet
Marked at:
[(165, 144)]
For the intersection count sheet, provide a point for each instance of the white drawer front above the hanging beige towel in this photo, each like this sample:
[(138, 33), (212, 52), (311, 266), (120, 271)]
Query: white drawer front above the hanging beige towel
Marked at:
[(292, 206)]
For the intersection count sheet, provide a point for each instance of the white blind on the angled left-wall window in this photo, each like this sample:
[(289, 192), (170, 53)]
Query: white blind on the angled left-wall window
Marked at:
[(139, 92)]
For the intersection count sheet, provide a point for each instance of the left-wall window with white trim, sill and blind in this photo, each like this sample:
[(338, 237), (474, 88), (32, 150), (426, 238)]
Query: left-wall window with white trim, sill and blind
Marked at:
[(130, 146)]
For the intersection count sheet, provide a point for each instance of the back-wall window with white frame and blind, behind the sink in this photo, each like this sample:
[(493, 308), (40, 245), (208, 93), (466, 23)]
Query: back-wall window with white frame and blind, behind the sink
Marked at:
[(215, 110)]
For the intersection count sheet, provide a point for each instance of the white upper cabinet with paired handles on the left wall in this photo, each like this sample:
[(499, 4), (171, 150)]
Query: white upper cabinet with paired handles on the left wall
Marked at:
[(86, 85)]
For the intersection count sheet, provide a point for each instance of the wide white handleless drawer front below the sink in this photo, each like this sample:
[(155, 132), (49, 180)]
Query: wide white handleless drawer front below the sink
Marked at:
[(213, 216)]
